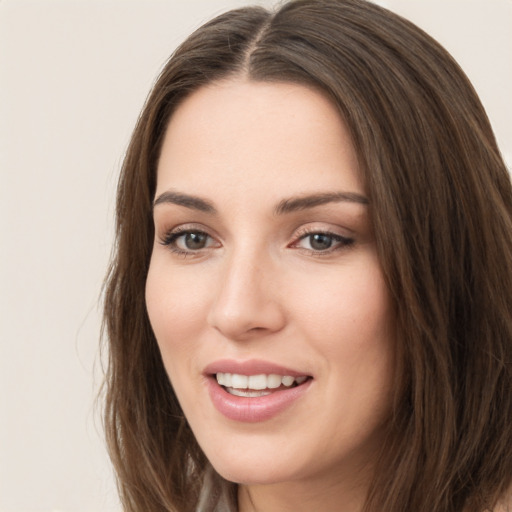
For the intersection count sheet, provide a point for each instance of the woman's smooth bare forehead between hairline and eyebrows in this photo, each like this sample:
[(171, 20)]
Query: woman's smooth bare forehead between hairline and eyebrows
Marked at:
[(236, 134)]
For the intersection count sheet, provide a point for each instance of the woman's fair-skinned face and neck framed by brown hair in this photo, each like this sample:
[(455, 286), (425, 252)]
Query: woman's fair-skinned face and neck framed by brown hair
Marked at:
[(245, 269)]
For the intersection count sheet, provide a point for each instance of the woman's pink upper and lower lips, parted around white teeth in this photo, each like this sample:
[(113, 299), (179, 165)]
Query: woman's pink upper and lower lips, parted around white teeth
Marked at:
[(256, 409)]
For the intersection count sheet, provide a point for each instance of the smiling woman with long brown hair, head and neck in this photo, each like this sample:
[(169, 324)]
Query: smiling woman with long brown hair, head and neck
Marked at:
[(309, 304)]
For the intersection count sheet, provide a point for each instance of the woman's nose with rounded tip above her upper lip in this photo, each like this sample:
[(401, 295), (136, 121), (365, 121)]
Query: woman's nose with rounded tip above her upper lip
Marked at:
[(246, 303)]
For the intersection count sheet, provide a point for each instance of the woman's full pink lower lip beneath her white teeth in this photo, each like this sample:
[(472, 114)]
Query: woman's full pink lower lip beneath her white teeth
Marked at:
[(252, 410)]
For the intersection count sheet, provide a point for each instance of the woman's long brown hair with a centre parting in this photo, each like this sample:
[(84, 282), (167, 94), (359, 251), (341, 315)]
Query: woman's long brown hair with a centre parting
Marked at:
[(441, 204)]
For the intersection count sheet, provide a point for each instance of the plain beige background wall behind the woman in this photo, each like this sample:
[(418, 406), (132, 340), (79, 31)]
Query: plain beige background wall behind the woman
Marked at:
[(73, 77)]
